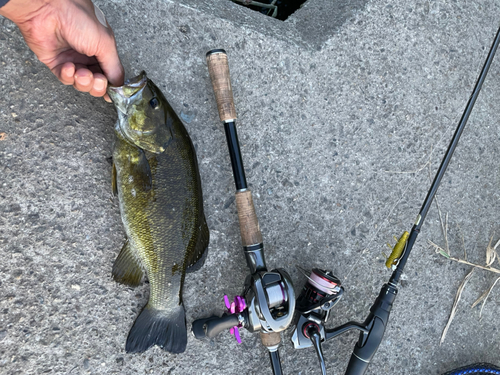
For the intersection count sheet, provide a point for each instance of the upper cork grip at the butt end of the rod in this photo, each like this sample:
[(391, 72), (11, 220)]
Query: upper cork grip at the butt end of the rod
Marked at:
[(219, 75)]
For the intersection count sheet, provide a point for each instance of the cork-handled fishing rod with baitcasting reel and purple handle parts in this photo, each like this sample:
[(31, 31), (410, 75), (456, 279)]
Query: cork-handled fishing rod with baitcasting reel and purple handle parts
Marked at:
[(267, 303)]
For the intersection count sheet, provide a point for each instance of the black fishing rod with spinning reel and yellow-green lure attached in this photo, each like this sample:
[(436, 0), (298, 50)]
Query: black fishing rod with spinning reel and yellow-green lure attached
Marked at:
[(322, 290)]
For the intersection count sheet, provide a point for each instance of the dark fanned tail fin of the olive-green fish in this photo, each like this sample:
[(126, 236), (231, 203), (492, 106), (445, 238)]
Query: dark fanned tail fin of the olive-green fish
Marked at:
[(165, 328)]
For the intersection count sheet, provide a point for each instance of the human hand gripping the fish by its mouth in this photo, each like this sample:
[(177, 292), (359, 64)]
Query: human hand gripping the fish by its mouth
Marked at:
[(72, 38)]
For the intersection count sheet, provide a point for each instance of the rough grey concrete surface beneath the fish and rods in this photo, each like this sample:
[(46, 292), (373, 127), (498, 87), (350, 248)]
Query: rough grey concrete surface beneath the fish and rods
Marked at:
[(336, 123)]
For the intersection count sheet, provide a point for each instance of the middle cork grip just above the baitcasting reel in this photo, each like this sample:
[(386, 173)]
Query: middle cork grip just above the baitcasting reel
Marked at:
[(249, 225)]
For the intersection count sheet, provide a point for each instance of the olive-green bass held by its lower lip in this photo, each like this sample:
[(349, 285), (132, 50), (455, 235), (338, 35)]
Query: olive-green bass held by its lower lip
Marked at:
[(156, 178)]
